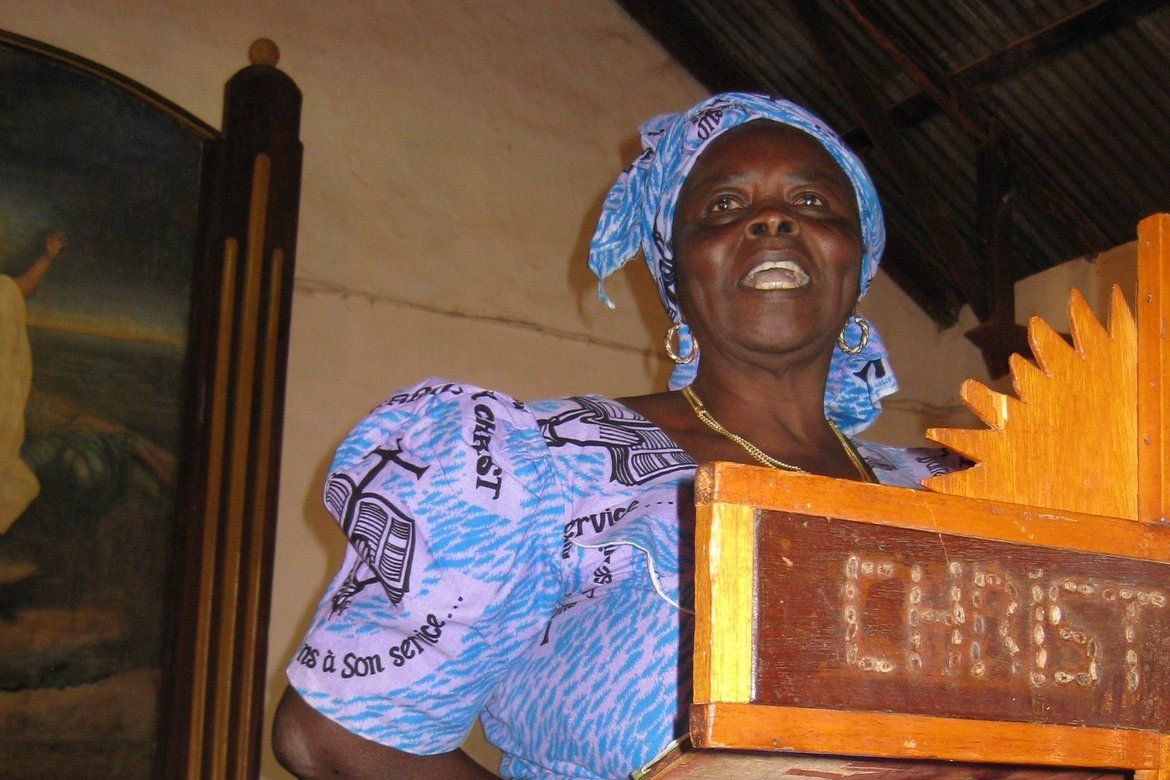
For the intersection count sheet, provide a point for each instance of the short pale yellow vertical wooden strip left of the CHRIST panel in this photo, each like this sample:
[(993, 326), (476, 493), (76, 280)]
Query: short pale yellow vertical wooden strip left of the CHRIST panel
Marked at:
[(725, 595)]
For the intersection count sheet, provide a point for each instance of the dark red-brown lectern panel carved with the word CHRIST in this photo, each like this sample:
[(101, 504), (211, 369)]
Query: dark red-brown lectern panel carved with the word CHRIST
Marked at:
[(861, 617)]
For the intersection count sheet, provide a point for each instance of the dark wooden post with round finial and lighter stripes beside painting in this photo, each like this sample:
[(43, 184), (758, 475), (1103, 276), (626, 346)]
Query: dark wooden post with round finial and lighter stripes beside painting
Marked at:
[(251, 217)]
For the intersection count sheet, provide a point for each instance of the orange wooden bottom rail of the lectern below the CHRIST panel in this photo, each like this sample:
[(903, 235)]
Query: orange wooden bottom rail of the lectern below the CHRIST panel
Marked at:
[(754, 727)]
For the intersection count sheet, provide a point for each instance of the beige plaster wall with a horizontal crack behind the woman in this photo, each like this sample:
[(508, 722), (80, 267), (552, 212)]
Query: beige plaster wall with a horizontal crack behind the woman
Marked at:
[(457, 154)]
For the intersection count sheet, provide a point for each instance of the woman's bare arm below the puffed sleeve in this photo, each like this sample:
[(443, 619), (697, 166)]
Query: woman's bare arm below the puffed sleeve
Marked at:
[(311, 746)]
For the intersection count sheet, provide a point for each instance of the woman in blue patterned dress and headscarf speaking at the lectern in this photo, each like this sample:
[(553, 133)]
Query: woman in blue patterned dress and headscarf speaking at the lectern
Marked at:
[(531, 564)]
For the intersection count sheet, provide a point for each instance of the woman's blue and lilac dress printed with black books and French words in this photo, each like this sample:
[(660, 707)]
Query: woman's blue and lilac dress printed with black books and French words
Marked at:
[(522, 563)]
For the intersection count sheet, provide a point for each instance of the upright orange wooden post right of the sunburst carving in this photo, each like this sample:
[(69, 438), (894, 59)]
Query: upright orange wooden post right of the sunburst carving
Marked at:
[(1153, 364)]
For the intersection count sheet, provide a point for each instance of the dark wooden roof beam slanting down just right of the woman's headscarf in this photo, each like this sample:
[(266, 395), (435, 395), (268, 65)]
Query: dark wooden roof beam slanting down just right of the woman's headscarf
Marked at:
[(900, 163)]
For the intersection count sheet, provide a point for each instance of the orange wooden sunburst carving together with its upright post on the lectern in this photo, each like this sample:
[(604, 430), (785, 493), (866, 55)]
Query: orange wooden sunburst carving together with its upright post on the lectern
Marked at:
[(1084, 432)]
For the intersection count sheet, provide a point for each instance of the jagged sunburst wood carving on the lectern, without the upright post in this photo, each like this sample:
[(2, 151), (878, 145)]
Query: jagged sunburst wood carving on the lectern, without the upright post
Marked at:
[(1069, 439)]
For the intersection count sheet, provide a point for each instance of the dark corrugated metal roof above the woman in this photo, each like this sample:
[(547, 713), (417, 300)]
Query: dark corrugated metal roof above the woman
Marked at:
[(1091, 111)]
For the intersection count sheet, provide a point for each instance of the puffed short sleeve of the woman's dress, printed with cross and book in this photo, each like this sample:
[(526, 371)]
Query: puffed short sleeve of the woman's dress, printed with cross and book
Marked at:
[(453, 513)]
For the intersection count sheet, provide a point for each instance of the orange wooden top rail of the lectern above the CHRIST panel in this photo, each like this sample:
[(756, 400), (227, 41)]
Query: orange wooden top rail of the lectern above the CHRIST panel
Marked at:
[(800, 493)]
